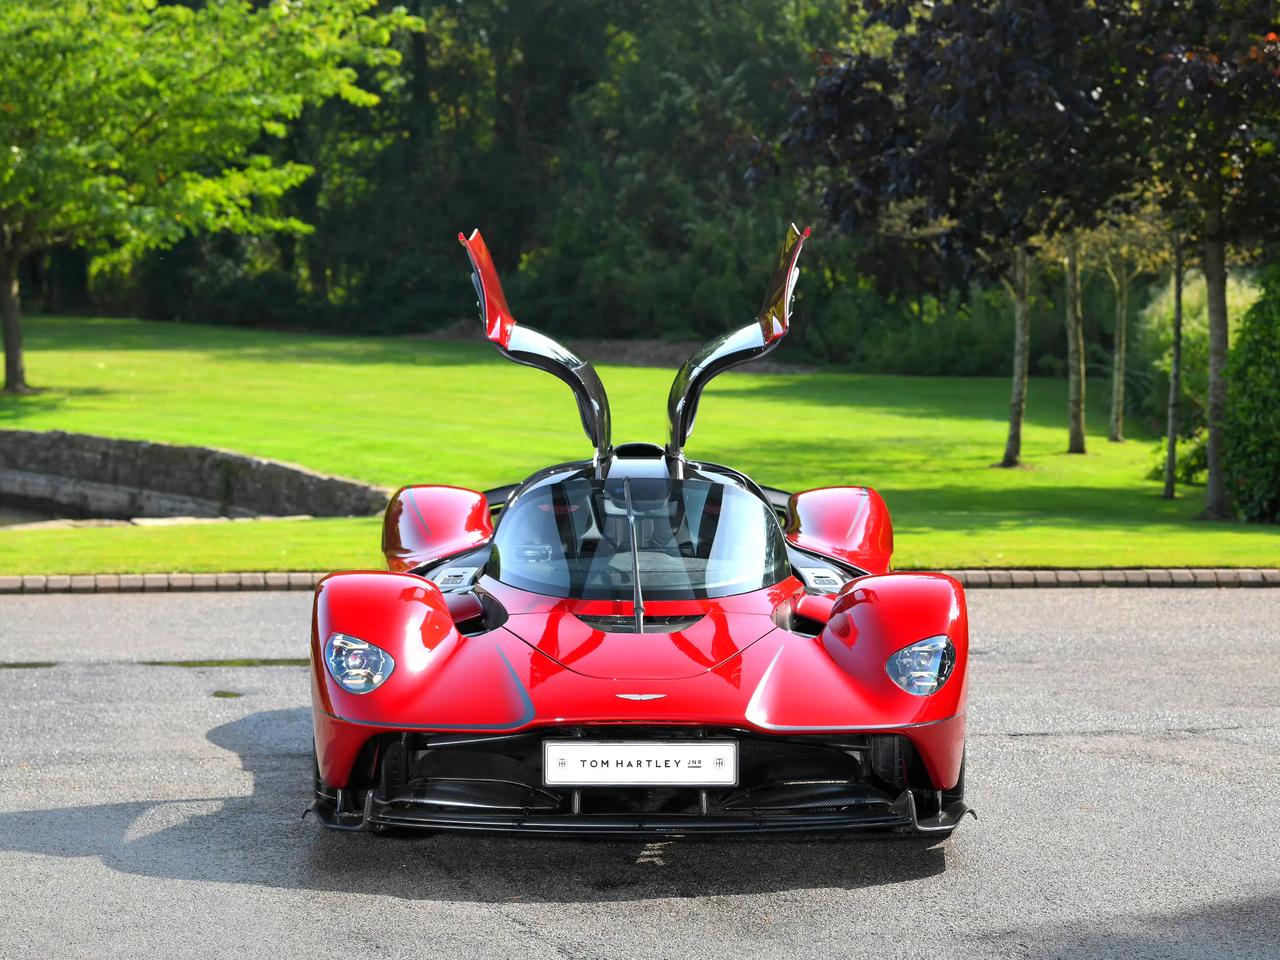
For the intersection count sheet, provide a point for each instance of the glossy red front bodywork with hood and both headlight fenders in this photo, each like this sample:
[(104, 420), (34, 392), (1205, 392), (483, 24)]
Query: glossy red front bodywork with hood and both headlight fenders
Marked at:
[(739, 670)]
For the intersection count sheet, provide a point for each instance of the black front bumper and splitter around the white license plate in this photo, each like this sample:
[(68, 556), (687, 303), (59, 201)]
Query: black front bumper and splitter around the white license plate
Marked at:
[(788, 784)]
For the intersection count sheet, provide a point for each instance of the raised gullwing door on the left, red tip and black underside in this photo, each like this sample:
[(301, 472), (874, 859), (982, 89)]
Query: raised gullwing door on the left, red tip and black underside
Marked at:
[(533, 349)]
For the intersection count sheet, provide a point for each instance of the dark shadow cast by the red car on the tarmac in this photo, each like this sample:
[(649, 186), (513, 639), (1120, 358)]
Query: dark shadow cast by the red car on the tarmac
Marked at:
[(260, 839)]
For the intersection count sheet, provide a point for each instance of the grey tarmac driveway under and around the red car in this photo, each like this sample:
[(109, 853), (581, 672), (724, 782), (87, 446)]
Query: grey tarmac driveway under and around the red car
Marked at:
[(1124, 760)]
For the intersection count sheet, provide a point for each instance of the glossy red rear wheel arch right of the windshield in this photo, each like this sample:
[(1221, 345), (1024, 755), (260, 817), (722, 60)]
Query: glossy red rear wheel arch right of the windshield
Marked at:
[(849, 524)]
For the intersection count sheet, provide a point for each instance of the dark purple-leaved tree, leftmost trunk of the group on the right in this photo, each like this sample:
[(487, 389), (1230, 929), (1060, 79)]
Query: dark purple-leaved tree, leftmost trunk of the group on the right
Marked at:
[(966, 88)]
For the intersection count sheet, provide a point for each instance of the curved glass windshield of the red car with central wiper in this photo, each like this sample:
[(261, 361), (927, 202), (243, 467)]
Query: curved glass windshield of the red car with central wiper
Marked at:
[(694, 538)]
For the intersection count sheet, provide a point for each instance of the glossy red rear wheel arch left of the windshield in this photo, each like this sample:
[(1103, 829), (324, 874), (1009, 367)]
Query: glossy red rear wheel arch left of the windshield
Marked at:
[(426, 524)]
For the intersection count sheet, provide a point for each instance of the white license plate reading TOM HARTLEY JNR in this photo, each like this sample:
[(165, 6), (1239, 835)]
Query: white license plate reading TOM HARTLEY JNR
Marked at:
[(639, 764)]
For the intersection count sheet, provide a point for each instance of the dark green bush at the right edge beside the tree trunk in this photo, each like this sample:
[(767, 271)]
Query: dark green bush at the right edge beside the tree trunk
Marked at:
[(1252, 431)]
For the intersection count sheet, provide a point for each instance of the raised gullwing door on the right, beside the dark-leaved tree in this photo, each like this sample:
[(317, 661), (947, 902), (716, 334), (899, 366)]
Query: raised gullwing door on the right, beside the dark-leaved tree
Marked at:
[(730, 350)]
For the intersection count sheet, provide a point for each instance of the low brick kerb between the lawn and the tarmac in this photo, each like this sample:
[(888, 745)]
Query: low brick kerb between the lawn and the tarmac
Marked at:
[(189, 583)]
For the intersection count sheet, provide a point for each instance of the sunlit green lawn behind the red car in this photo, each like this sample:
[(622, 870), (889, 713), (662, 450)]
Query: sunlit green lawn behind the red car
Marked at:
[(403, 410)]
